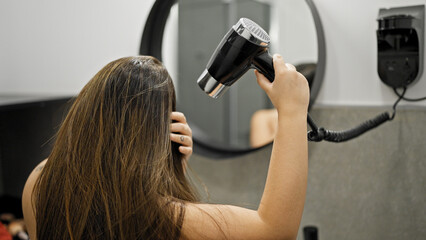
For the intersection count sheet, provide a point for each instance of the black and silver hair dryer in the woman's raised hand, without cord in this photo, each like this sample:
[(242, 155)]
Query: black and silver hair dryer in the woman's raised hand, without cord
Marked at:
[(245, 46)]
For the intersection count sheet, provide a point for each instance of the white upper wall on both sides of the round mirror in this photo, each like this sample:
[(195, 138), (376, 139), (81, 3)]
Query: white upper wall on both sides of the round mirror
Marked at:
[(55, 46)]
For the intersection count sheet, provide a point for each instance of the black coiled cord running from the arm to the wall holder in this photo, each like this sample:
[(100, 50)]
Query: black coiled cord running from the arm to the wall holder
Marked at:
[(319, 134)]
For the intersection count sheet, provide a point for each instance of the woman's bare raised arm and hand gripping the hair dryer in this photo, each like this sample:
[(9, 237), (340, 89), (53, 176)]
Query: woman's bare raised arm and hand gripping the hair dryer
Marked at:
[(281, 207)]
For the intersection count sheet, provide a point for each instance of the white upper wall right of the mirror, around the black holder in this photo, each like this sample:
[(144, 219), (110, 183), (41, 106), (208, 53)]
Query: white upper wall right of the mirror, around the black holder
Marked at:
[(351, 77)]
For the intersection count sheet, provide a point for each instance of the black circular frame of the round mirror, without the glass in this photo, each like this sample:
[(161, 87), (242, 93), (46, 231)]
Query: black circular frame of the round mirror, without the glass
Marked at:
[(151, 44)]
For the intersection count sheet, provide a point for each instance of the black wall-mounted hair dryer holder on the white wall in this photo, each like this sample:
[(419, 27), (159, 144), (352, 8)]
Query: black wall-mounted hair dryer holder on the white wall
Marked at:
[(400, 40)]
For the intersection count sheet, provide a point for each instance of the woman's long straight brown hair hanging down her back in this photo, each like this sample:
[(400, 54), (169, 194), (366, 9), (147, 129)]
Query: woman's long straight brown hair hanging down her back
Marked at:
[(113, 172)]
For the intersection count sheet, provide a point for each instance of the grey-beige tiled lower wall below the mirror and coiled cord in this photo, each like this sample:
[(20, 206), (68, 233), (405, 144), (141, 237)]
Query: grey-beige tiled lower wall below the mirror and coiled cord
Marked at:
[(373, 187)]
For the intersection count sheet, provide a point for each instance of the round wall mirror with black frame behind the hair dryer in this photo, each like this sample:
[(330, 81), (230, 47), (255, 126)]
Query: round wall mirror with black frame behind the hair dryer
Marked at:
[(185, 35)]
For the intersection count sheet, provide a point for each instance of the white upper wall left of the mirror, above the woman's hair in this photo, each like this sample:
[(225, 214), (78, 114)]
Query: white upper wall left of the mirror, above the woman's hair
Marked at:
[(55, 47)]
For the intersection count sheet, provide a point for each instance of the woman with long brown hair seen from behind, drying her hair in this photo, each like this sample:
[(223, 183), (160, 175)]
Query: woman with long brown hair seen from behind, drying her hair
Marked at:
[(117, 169)]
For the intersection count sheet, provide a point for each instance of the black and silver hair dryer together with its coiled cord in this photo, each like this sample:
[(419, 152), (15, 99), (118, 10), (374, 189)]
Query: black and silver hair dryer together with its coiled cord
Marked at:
[(244, 47)]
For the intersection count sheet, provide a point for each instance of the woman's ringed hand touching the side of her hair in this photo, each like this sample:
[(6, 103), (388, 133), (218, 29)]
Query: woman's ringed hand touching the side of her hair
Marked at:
[(181, 134)]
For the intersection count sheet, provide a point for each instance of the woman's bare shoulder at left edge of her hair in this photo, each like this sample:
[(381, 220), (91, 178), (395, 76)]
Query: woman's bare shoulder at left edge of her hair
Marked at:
[(27, 204)]
